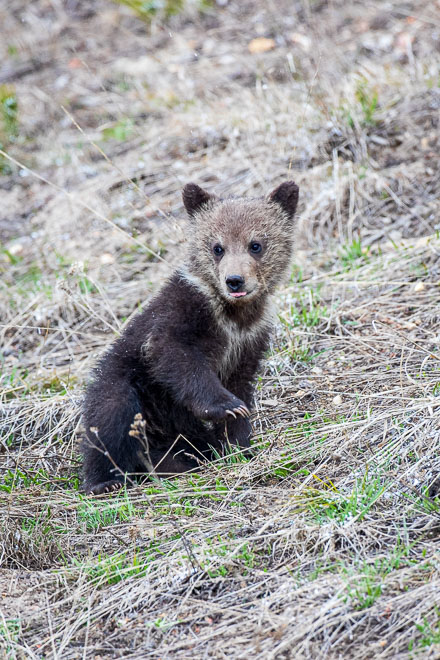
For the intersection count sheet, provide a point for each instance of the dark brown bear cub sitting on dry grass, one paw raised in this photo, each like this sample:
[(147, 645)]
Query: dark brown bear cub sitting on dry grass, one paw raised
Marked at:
[(177, 385)]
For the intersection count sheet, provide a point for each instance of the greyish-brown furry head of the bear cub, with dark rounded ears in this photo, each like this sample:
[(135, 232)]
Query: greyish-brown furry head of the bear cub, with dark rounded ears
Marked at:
[(240, 247)]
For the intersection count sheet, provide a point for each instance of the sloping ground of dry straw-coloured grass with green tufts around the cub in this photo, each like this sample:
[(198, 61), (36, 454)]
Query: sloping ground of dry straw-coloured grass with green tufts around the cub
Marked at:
[(325, 544)]
